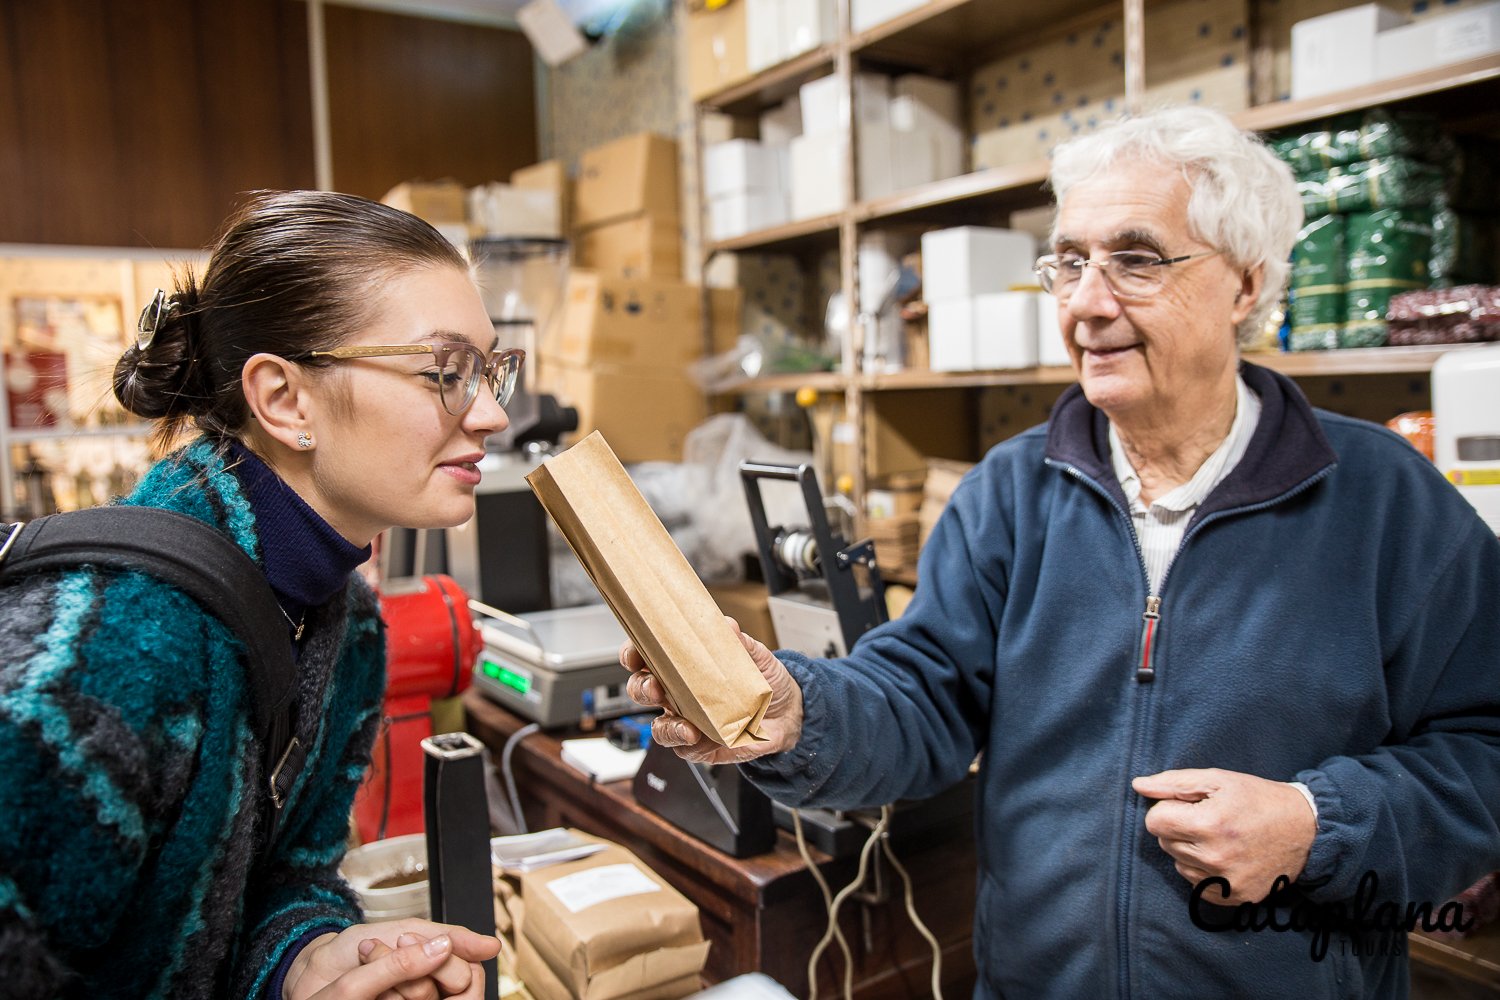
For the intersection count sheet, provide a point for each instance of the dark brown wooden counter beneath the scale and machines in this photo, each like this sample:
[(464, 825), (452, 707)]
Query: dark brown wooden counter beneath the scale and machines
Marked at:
[(763, 914)]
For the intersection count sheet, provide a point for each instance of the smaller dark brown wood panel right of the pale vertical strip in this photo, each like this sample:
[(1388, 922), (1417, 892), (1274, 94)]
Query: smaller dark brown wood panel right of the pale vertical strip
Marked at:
[(418, 98)]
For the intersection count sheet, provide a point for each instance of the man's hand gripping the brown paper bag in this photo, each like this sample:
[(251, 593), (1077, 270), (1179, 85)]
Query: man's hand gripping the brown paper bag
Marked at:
[(782, 723)]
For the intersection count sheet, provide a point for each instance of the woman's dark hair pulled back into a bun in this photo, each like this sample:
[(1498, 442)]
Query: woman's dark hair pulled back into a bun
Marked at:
[(292, 272)]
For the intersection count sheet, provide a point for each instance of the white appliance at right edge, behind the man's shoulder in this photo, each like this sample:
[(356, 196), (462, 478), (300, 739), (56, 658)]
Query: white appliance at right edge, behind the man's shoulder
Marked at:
[(1466, 427)]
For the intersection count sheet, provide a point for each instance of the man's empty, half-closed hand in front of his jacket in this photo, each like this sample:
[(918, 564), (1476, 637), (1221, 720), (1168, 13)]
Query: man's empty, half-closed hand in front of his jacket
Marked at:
[(1234, 825)]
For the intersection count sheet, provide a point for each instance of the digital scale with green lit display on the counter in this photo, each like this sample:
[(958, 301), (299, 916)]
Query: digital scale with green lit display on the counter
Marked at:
[(557, 668)]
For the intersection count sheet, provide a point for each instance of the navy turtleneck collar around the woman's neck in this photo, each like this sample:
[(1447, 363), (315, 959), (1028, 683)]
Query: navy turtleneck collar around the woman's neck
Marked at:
[(307, 561)]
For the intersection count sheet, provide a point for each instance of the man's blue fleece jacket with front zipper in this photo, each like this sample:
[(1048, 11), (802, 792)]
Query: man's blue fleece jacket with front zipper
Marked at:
[(1333, 617)]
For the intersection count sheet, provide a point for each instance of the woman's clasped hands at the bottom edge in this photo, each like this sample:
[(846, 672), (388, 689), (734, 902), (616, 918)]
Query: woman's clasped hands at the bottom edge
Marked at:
[(397, 960)]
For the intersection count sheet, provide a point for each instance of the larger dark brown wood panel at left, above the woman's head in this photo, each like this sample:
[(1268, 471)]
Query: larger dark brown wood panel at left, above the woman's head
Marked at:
[(137, 122)]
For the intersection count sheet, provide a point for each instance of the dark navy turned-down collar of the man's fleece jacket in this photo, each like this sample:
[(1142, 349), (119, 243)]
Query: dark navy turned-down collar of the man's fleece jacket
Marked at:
[(1289, 446)]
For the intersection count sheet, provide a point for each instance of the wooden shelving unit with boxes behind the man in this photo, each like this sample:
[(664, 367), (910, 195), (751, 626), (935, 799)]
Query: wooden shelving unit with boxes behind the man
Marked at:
[(953, 37)]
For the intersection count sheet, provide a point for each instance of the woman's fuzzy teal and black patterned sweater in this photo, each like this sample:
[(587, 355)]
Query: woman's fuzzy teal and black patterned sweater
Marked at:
[(130, 774)]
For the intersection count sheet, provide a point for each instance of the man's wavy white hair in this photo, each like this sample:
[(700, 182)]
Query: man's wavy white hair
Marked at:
[(1244, 200)]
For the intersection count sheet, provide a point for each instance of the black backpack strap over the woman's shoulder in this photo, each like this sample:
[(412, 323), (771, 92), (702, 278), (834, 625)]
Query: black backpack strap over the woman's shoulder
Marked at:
[(202, 563)]
